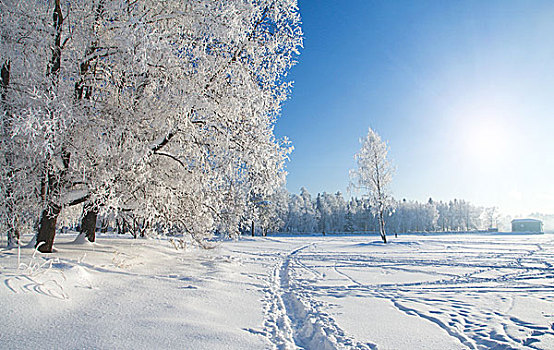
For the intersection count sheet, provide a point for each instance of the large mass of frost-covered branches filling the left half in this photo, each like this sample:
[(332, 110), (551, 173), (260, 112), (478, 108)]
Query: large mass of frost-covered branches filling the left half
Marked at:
[(160, 113)]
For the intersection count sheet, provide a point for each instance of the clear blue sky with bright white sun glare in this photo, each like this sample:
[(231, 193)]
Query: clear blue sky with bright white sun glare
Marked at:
[(462, 90)]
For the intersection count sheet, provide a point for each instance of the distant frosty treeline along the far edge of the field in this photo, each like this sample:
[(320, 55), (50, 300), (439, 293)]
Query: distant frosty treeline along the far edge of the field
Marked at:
[(331, 213)]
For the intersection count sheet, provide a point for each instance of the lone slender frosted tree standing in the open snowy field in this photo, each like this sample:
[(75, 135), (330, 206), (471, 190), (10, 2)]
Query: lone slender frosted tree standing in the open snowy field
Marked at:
[(373, 175)]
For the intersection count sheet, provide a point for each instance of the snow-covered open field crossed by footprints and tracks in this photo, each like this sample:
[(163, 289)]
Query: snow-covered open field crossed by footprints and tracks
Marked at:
[(417, 292)]
